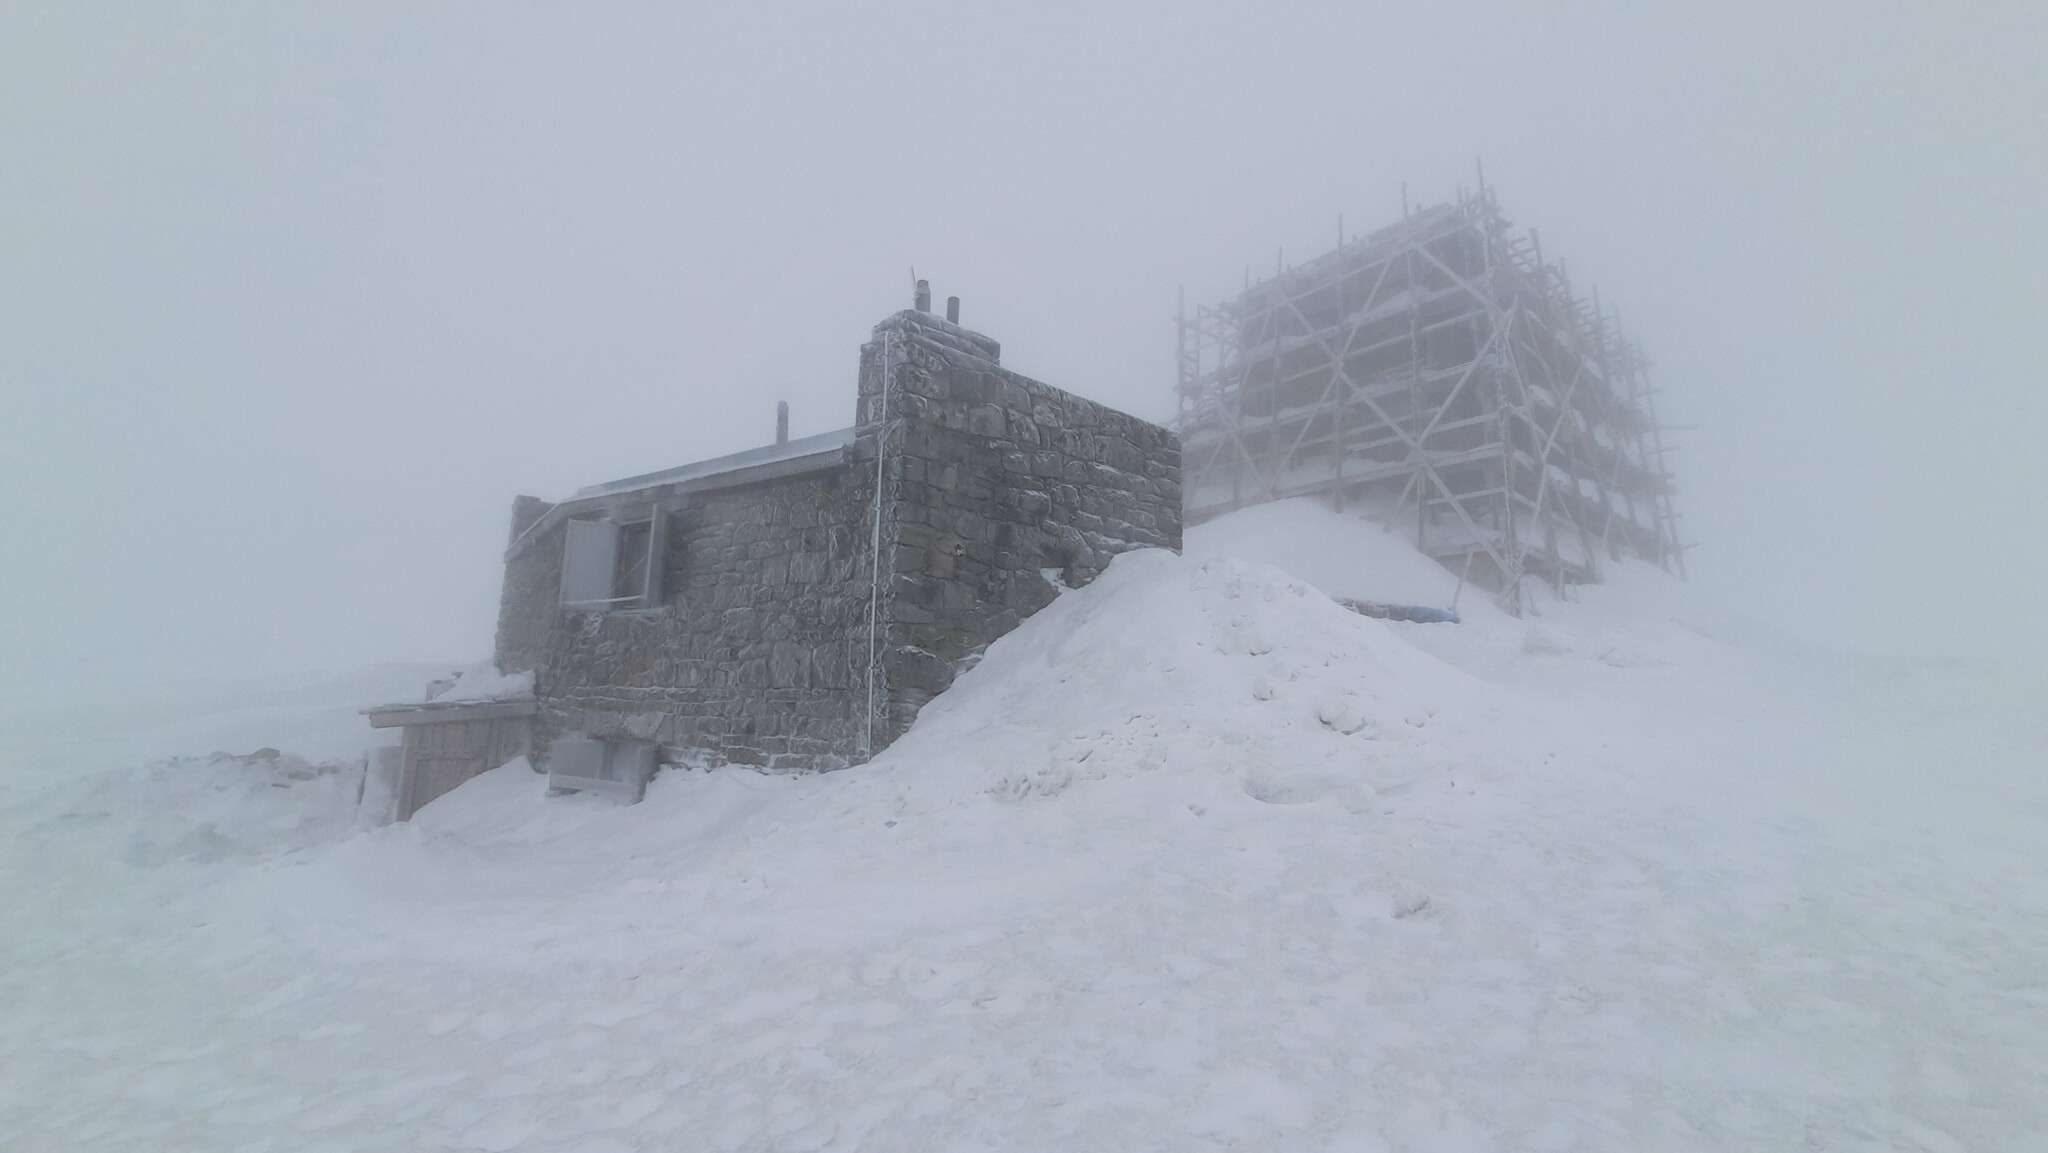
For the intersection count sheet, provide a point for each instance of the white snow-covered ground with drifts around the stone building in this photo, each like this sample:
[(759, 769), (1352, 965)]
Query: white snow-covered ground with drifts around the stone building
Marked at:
[(1193, 861)]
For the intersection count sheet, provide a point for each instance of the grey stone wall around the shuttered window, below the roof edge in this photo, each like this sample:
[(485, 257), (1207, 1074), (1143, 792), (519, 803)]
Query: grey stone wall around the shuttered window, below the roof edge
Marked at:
[(759, 644)]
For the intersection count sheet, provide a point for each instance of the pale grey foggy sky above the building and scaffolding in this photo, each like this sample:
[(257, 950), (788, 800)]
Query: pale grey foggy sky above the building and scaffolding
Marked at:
[(294, 302)]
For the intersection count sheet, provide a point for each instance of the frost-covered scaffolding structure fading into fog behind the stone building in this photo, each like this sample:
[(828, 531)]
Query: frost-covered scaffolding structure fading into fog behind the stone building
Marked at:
[(1443, 368)]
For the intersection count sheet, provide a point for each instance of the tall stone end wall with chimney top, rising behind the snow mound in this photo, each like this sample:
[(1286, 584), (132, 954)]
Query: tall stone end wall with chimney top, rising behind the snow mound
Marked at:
[(998, 493)]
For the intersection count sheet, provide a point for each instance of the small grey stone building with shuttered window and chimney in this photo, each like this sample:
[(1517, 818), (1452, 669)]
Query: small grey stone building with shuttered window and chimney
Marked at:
[(796, 605)]
